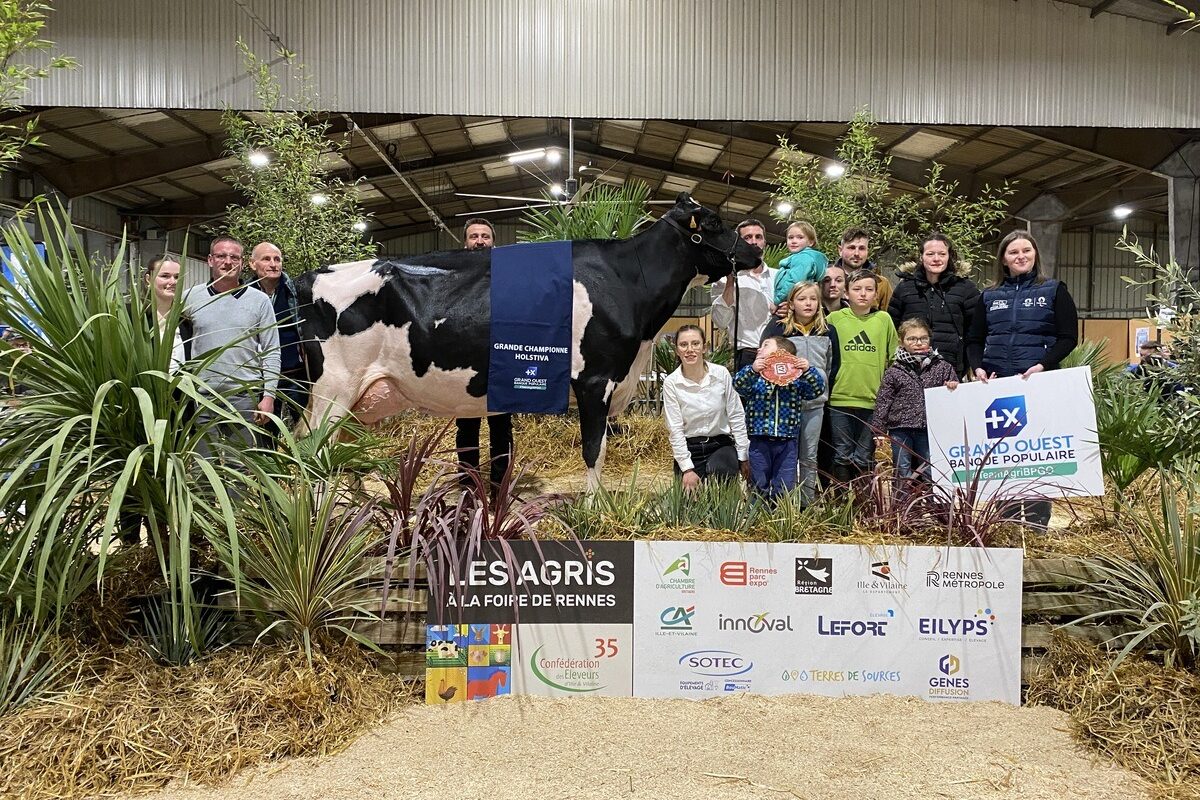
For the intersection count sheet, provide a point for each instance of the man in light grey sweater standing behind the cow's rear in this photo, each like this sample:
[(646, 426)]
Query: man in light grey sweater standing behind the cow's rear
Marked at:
[(241, 320)]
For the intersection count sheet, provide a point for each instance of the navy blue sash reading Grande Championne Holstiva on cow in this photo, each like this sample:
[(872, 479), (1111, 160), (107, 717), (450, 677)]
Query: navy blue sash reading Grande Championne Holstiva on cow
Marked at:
[(530, 368)]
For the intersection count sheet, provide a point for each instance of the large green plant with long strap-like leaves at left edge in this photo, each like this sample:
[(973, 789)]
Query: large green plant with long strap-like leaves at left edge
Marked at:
[(95, 428)]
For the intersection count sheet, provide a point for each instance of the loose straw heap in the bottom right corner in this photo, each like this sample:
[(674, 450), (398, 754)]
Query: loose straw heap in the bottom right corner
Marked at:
[(1142, 715)]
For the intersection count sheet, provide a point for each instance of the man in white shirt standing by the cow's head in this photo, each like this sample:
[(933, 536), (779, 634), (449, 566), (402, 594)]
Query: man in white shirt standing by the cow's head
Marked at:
[(753, 300)]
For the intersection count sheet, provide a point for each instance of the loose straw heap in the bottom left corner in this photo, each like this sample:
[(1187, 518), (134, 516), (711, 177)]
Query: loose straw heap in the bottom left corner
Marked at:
[(130, 725)]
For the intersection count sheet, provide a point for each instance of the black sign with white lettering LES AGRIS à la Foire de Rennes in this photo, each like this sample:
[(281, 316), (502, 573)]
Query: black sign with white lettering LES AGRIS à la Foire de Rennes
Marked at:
[(550, 582)]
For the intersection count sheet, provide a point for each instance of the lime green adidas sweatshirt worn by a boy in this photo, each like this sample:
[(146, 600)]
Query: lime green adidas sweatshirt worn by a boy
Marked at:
[(867, 346)]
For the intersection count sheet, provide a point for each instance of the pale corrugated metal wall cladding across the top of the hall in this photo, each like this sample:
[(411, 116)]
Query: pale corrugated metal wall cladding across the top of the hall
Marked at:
[(1035, 63)]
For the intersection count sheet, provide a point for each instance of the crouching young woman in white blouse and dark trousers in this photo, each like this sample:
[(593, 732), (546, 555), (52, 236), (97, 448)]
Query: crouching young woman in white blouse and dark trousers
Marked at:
[(706, 423)]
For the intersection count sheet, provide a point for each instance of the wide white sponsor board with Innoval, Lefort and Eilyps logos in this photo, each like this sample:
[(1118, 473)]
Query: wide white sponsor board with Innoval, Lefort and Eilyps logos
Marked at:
[(943, 624)]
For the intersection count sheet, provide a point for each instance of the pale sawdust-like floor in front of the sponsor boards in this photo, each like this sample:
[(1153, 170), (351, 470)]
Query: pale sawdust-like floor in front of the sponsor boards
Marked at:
[(745, 747)]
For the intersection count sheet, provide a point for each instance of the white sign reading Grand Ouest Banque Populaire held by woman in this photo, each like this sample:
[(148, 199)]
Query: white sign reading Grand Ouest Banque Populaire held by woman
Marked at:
[(1017, 438)]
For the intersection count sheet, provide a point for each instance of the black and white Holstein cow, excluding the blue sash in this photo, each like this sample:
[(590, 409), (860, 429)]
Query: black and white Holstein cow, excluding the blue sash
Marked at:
[(415, 334)]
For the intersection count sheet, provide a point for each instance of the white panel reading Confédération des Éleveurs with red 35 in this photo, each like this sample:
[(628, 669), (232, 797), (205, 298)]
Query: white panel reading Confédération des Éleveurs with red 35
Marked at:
[(575, 660)]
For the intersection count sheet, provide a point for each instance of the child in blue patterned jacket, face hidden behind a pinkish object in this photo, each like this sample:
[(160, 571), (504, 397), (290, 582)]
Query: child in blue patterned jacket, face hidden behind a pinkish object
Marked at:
[(775, 418)]
